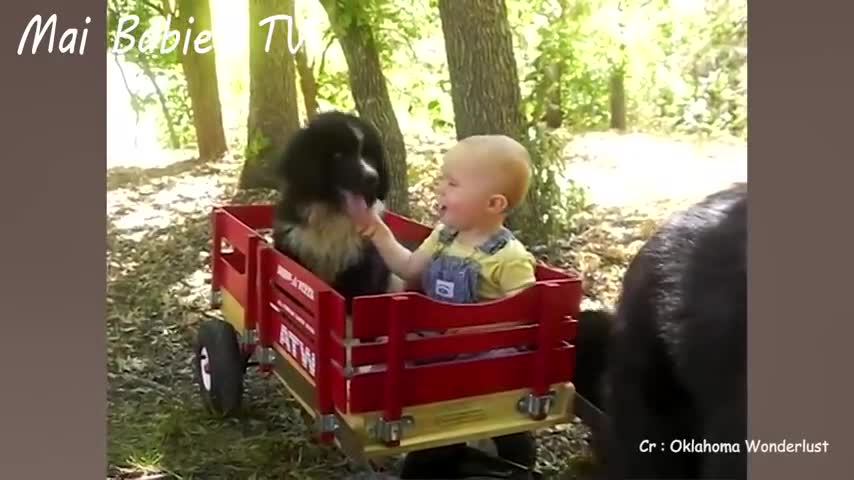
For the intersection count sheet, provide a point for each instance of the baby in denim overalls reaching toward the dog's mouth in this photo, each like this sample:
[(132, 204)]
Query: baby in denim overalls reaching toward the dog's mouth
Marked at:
[(470, 257)]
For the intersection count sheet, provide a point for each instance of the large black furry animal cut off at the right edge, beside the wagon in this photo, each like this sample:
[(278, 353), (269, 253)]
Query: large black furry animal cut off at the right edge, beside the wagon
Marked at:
[(670, 372)]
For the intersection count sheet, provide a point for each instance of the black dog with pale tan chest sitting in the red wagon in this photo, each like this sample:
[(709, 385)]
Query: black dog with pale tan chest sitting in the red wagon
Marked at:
[(335, 152)]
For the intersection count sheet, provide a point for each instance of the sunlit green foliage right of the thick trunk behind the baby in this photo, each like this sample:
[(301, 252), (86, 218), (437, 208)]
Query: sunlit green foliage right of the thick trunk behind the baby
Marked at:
[(685, 65)]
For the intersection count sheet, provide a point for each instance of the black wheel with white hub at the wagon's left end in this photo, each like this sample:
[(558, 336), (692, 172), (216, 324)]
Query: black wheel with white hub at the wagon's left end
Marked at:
[(219, 366)]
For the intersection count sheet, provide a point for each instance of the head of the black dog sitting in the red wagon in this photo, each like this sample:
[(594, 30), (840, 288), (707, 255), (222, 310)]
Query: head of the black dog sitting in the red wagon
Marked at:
[(336, 156)]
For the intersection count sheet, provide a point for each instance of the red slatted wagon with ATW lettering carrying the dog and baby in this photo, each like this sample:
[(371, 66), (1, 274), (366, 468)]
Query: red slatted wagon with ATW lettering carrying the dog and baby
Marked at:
[(373, 388)]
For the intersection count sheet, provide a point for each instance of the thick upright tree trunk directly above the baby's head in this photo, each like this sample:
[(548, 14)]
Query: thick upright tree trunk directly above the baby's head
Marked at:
[(484, 78)]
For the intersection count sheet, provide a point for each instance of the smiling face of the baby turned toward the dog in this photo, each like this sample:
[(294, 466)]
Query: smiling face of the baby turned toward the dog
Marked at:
[(465, 188)]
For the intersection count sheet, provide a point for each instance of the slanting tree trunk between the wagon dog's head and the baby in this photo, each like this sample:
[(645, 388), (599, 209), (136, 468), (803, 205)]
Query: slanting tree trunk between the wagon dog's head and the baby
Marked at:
[(370, 93)]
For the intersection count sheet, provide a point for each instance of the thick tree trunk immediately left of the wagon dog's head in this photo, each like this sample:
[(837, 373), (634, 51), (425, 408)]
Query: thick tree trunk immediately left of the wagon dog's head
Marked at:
[(273, 113)]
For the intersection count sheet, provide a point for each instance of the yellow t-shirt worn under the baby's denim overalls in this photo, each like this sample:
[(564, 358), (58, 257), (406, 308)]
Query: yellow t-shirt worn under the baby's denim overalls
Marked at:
[(504, 272)]
